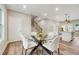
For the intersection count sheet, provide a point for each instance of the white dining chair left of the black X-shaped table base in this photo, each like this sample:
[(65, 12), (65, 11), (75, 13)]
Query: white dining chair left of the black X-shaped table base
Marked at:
[(27, 42)]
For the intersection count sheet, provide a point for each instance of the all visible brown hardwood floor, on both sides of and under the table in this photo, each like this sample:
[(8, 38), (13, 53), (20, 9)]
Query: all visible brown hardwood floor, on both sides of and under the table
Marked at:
[(16, 48)]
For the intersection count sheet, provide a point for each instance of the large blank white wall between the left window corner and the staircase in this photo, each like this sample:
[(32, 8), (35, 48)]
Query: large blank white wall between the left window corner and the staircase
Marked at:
[(18, 22)]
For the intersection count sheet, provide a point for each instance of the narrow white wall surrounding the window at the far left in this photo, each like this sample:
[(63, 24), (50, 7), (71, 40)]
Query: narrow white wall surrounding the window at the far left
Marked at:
[(3, 43)]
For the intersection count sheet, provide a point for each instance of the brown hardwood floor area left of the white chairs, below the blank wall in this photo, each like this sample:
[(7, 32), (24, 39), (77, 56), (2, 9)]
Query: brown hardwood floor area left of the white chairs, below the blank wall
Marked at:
[(14, 48)]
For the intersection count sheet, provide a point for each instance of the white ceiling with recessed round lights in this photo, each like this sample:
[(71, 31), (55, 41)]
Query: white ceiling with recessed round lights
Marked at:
[(50, 9)]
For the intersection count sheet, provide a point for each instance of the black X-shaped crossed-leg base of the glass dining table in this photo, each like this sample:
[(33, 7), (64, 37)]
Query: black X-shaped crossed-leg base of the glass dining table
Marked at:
[(40, 44)]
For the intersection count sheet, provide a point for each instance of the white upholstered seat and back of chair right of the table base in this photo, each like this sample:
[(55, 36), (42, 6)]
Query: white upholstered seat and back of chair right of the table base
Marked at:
[(52, 44)]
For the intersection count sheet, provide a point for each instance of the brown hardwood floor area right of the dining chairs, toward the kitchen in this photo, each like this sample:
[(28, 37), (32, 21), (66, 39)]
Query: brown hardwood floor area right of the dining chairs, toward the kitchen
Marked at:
[(69, 48)]
